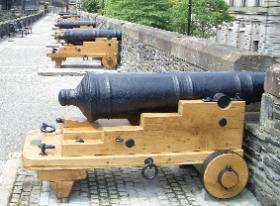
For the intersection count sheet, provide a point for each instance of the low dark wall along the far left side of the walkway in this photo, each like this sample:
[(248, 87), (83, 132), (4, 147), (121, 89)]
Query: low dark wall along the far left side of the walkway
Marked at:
[(27, 20)]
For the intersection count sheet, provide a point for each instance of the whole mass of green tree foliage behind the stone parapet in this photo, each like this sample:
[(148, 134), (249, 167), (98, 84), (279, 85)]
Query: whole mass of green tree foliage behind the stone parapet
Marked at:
[(165, 14)]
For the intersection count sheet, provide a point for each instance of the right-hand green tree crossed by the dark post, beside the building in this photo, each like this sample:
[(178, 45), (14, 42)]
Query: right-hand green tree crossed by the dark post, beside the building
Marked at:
[(207, 14)]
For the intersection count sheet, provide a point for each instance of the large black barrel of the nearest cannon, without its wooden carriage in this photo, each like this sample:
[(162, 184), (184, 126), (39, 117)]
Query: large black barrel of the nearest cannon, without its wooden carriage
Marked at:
[(127, 95)]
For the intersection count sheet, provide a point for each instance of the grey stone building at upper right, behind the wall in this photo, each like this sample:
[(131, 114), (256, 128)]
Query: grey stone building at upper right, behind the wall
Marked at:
[(256, 28)]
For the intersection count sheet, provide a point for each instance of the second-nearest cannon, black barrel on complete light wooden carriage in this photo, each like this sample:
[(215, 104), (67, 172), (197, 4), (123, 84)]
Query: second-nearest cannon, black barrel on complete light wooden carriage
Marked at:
[(100, 44)]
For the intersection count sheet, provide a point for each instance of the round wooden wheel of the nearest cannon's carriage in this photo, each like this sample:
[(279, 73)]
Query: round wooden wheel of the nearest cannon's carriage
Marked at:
[(224, 174)]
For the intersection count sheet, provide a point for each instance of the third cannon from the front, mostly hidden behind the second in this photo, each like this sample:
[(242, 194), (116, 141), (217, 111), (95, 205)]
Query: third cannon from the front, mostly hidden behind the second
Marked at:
[(63, 26)]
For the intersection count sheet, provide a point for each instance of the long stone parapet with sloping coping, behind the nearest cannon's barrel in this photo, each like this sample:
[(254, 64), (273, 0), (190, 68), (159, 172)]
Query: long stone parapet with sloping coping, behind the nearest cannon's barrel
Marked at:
[(145, 48)]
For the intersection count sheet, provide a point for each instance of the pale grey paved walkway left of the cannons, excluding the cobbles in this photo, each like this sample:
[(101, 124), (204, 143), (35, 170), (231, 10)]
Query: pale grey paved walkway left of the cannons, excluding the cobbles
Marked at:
[(26, 98)]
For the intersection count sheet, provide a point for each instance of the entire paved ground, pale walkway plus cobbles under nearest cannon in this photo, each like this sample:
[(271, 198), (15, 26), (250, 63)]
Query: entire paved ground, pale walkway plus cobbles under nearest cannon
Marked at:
[(28, 99)]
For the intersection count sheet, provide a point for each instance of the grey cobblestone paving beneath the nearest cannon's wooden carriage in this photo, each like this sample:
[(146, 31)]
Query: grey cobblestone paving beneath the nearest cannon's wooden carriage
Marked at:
[(173, 186)]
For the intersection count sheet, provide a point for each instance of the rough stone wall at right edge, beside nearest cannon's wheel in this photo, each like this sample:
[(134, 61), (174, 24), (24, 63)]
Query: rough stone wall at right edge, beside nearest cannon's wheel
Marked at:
[(262, 144)]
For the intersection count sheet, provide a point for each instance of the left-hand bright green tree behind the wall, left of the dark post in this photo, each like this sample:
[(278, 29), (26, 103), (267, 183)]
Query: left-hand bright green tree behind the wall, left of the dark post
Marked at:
[(152, 13)]
